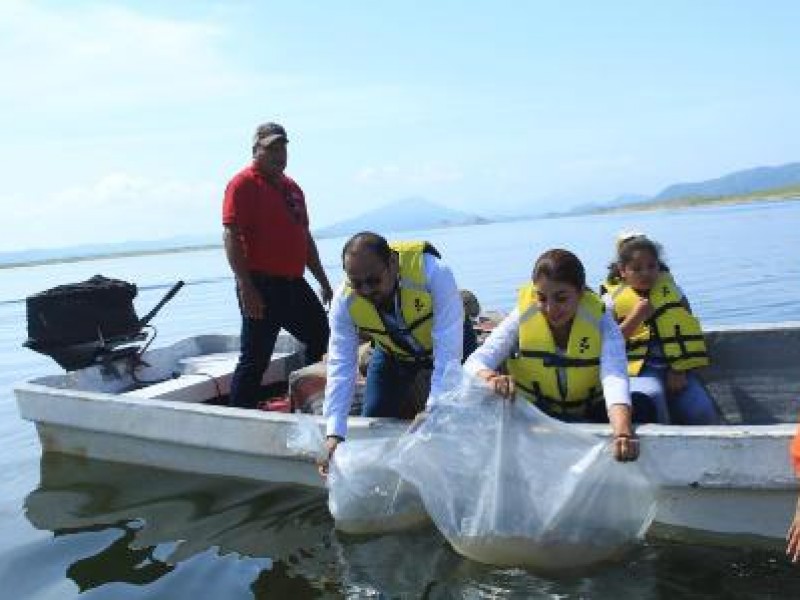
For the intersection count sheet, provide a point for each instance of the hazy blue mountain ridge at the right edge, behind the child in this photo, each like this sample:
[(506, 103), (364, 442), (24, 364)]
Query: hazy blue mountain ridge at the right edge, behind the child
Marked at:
[(735, 184)]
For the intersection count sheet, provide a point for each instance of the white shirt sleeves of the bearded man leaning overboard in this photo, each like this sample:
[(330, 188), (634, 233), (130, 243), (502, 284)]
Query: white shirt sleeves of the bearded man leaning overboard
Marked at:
[(447, 334)]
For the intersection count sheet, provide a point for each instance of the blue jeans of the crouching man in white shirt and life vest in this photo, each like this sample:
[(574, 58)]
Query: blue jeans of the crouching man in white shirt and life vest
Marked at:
[(389, 379)]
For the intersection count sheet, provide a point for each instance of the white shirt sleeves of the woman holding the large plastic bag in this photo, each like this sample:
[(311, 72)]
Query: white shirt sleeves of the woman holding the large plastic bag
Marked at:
[(504, 340)]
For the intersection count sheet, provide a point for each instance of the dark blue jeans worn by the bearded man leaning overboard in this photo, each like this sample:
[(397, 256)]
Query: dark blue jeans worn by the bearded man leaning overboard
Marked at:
[(395, 388)]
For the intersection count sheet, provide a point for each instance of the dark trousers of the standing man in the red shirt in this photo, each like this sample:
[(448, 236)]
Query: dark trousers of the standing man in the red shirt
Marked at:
[(290, 304)]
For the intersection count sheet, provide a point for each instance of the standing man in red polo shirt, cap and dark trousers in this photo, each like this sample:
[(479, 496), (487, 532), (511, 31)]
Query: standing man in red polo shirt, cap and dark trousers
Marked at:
[(268, 245)]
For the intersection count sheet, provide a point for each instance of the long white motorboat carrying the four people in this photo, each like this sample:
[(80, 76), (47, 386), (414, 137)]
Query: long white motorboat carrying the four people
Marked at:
[(727, 479)]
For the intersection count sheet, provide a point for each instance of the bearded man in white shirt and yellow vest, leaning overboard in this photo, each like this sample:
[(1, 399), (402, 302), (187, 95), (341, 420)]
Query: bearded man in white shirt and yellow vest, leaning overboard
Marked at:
[(405, 299)]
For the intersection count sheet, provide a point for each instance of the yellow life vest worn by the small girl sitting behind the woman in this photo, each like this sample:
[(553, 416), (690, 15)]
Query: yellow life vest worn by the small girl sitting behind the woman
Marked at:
[(677, 330)]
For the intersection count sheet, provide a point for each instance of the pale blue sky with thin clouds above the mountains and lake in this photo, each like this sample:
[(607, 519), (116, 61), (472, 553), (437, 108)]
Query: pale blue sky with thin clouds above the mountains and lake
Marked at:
[(125, 120)]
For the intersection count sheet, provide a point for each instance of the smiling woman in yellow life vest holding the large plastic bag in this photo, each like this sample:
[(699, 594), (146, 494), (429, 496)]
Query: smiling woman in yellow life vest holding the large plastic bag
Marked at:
[(562, 351)]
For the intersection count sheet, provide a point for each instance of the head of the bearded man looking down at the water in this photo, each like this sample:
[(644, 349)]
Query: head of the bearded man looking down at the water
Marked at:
[(371, 267)]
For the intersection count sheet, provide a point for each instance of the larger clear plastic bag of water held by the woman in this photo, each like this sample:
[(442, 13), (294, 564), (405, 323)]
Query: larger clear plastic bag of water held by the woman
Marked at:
[(508, 485)]
